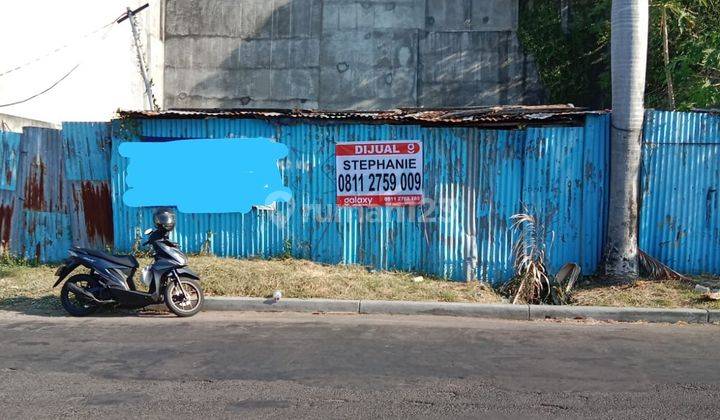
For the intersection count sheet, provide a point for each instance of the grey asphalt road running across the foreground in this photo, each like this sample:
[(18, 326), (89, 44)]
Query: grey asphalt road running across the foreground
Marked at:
[(340, 366)]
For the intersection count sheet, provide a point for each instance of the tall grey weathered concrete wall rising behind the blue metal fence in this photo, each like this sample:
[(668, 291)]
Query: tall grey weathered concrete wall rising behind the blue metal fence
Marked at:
[(343, 54)]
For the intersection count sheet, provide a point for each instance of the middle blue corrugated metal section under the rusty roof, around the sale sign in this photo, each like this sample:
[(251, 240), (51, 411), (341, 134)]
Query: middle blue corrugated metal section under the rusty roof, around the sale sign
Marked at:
[(475, 178)]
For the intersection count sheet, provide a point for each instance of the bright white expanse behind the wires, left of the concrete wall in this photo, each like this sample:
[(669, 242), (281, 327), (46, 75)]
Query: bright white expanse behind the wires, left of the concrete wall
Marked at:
[(107, 78)]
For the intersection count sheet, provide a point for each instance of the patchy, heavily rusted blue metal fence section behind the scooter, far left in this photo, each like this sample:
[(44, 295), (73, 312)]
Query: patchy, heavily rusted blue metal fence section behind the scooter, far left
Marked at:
[(54, 190)]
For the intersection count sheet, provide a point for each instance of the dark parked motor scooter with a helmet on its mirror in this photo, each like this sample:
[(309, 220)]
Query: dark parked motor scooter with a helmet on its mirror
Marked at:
[(111, 283)]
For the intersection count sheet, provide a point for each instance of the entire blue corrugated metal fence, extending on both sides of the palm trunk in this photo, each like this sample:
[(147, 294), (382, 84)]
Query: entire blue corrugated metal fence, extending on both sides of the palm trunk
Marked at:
[(56, 188)]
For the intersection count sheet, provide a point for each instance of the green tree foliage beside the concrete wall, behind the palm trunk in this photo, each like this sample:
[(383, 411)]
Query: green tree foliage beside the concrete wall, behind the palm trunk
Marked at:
[(575, 68)]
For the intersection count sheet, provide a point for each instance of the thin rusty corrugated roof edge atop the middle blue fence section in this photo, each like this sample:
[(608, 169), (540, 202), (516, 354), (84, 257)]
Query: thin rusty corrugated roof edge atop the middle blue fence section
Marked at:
[(497, 116)]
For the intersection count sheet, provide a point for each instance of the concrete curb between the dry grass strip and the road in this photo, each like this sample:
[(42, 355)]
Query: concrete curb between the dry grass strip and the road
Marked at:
[(496, 311)]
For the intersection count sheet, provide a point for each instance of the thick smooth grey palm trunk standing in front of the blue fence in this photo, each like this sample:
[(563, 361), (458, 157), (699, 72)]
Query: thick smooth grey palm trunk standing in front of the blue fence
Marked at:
[(628, 62)]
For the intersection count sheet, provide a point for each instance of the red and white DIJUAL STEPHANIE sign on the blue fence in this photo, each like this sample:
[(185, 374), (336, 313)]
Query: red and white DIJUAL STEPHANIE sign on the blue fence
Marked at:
[(382, 173)]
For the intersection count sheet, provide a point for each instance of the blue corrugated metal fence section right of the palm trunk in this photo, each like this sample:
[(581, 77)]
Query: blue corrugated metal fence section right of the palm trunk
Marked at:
[(680, 184)]
